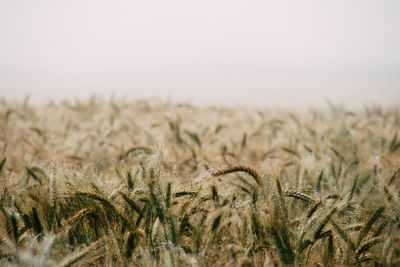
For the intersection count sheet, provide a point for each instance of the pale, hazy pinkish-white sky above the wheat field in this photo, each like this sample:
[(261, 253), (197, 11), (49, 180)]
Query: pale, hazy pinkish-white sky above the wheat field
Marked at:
[(285, 53)]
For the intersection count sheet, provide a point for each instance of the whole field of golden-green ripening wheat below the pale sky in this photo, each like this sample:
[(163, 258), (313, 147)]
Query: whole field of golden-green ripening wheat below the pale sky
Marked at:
[(152, 183)]
